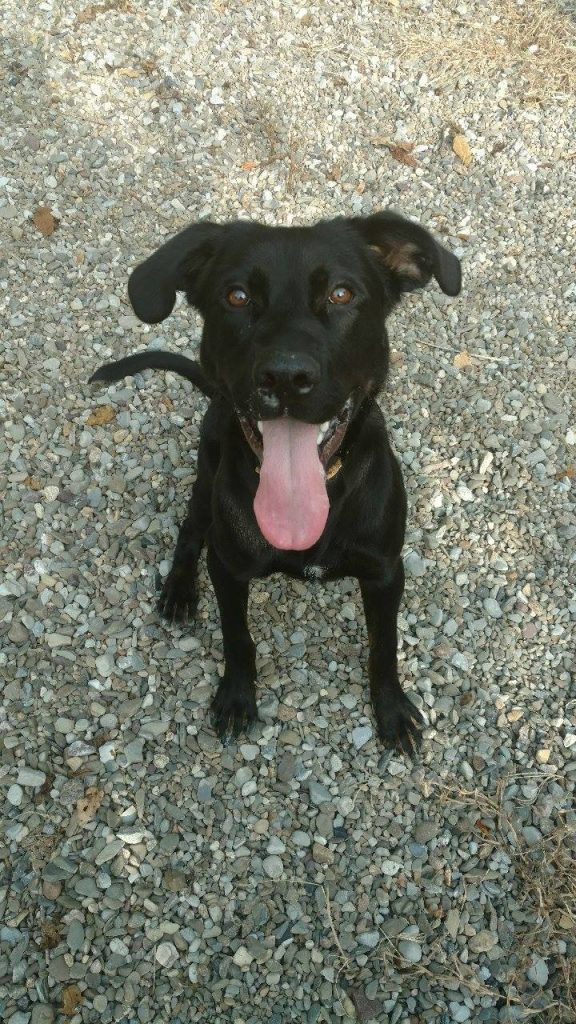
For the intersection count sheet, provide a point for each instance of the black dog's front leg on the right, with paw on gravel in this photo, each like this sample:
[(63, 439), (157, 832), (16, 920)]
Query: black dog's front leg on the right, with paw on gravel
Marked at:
[(398, 720)]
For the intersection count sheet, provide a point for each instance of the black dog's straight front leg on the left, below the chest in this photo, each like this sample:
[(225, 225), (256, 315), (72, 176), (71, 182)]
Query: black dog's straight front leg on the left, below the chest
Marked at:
[(234, 706)]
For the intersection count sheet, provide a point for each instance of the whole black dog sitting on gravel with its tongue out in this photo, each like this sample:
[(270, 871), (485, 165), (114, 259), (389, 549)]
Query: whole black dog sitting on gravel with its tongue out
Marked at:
[(296, 472)]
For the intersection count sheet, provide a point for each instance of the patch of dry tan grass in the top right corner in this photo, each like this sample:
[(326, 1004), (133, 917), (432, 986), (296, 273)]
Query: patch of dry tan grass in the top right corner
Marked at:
[(533, 45)]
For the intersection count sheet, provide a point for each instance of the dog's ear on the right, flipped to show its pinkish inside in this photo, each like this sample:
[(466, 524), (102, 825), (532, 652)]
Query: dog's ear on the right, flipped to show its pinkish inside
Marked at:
[(409, 252)]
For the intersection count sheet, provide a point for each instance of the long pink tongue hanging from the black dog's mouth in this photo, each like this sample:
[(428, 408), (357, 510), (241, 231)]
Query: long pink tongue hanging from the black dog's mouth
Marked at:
[(292, 503)]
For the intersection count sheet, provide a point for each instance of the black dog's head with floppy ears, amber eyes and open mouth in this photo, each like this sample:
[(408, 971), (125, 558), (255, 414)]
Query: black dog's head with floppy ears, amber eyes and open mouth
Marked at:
[(294, 323)]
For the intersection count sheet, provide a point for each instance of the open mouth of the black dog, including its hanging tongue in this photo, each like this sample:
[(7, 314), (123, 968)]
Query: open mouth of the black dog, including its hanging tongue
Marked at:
[(292, 504)]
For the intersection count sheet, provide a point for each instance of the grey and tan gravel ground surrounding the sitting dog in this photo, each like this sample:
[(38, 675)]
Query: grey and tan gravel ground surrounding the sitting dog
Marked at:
[(304, 875)]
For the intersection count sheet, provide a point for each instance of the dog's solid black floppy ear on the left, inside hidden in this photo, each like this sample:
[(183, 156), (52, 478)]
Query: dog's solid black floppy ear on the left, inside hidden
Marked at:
[(153, 285)]
